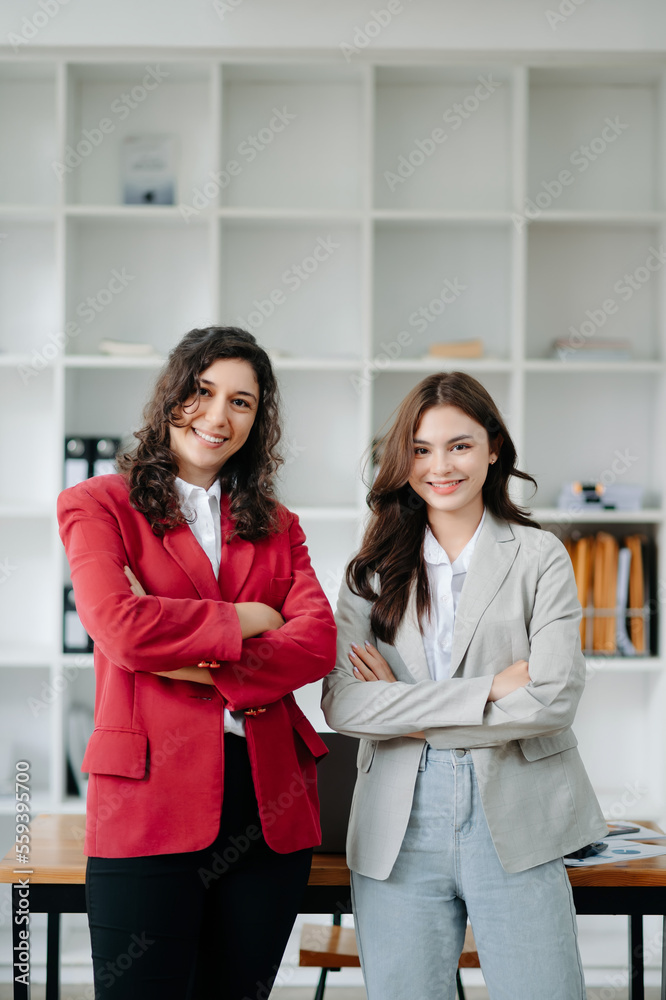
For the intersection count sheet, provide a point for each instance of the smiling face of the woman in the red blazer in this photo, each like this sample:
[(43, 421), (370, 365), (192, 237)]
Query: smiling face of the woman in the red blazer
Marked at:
[(216, 422)]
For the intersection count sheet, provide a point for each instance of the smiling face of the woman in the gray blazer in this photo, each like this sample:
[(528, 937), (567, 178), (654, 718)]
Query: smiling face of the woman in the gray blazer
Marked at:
[(451, 459)]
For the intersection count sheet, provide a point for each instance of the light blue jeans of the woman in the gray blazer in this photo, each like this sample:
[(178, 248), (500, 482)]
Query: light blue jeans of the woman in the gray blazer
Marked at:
[(411, 926)]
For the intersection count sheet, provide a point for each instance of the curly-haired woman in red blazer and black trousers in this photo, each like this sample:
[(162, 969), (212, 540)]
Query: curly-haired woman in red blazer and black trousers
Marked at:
[(197, 589)]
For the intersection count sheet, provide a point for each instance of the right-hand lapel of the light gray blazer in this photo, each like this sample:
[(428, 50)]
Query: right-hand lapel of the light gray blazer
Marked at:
[(493, 557)]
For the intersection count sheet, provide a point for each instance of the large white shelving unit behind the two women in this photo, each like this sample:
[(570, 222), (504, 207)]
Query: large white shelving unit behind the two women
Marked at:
[(350, 216)]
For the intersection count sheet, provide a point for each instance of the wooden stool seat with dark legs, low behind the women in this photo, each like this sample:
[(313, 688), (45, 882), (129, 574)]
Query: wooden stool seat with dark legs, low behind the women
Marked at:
[(331, 948)]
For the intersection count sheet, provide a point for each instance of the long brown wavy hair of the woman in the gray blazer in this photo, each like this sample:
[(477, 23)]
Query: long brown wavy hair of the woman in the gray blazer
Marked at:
[(393, 542)]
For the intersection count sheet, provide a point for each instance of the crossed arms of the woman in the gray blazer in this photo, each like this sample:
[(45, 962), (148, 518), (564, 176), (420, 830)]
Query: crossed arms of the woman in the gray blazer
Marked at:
[(480, 710)]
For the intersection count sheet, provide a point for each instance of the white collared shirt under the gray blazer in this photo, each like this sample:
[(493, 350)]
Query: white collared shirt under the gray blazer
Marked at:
[(446, 581)]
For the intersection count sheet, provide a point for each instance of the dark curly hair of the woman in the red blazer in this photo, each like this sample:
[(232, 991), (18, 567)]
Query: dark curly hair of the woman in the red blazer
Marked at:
[(247, 477)]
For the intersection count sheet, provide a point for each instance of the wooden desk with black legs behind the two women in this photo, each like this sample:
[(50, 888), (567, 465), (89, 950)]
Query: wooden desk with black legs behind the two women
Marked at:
[(57, 882)]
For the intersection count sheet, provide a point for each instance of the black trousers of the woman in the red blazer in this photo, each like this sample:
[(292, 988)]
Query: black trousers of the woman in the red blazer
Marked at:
[(201, 925)]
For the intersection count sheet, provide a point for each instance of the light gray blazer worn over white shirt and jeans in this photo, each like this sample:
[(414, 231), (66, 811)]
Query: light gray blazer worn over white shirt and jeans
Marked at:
[(518, 602)]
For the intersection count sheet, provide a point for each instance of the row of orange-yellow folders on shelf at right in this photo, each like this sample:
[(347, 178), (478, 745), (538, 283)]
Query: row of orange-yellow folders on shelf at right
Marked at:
[(615, 579)]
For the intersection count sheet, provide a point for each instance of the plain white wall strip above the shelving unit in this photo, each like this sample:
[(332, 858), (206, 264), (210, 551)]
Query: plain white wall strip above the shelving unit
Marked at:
[(621, 25)]
